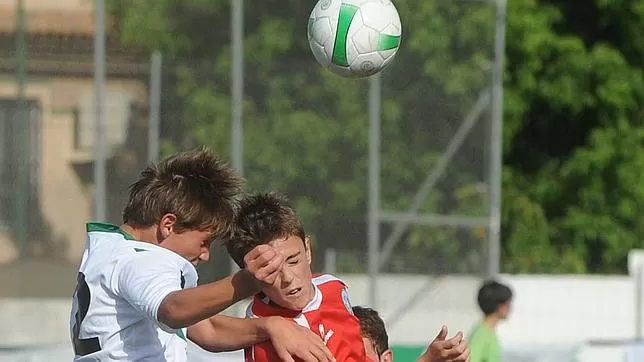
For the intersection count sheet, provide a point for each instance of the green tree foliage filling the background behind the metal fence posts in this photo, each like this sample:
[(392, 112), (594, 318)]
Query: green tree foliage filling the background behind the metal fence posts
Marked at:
[(573, 138)]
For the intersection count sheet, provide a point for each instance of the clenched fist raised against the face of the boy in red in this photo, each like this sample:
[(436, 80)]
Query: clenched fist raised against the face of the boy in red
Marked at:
[(264, 263)]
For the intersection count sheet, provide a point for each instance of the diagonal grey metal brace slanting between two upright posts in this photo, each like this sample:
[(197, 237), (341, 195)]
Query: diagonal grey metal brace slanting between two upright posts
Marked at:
[(433, 176)]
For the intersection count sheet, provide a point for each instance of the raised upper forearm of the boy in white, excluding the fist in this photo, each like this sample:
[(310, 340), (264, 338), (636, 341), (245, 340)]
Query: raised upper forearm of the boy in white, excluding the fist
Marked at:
[(189, 306)]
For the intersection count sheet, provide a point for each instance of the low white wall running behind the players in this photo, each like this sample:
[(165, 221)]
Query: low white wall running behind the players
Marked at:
[(553, 317)]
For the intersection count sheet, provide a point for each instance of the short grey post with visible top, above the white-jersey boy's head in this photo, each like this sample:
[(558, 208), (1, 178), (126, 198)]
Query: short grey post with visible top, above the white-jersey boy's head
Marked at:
[(154, 133)]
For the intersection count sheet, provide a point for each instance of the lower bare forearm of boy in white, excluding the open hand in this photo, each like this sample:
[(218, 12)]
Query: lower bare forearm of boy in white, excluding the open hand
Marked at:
[(222, 333)]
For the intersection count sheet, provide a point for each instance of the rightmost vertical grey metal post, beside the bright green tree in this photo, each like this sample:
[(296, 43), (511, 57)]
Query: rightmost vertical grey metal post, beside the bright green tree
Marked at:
[(496, 146)]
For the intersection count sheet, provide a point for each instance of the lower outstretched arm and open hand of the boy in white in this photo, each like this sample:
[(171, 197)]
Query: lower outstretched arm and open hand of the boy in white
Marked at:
[(222, 333)]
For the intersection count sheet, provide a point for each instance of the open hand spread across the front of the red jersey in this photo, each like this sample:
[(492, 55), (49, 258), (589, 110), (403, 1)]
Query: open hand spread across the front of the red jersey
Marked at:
[(292, 341)]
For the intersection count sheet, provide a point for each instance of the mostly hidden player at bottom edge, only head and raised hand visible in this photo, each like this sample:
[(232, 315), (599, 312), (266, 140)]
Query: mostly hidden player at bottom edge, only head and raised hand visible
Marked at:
[(376, 341)]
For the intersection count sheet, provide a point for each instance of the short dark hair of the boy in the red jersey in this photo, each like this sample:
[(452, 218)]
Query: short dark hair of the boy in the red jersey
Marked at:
[(262, 218)]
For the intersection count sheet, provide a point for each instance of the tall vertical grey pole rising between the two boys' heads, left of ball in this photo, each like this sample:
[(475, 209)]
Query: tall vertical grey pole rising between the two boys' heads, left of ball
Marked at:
[(237, 90)]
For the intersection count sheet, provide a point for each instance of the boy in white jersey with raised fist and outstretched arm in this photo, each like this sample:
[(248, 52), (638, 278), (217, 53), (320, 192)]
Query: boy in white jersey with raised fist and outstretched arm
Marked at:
[(137, 297)]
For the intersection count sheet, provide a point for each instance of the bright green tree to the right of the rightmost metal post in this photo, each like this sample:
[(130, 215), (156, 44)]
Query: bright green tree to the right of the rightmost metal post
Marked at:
[(573, 137)]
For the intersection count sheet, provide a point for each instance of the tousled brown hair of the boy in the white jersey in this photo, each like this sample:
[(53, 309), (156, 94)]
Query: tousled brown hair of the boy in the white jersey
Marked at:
[(196, 186)]
